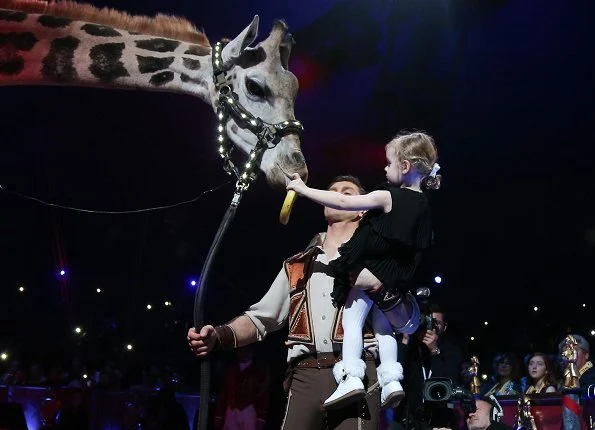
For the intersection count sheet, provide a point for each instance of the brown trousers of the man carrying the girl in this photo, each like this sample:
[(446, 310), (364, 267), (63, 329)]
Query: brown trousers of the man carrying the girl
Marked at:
[(310, 387)]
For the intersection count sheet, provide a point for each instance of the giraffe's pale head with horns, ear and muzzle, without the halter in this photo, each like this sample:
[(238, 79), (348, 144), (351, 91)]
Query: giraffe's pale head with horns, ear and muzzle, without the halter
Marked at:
[(267, 89)]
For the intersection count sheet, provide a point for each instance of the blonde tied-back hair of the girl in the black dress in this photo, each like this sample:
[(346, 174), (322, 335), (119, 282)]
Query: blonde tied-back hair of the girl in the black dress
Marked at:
[(420, 150)]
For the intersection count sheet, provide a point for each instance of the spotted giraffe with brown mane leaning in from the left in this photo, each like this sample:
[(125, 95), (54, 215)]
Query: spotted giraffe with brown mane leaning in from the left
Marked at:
[(76, 44)]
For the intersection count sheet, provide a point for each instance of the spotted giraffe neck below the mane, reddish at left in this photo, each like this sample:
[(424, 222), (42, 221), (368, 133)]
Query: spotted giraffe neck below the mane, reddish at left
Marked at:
[(48, 50)]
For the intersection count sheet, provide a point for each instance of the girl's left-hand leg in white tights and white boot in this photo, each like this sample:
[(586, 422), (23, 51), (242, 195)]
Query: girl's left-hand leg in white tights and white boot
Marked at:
[(350, 371)]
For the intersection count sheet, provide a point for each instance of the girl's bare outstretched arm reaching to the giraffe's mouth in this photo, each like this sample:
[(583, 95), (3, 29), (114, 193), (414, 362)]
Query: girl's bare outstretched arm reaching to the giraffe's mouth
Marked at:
[(332, 199)]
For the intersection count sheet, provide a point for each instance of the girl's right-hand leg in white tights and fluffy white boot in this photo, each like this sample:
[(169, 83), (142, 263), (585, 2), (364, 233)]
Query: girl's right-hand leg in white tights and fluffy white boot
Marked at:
[(390, 371)]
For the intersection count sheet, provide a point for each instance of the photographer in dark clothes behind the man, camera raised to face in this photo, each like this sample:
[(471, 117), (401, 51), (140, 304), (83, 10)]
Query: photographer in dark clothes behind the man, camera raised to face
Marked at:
[(424, 355)]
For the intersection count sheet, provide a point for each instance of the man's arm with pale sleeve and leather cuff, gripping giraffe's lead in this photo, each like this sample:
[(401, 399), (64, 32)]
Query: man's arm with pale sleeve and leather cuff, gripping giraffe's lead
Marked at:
[(268, 315)]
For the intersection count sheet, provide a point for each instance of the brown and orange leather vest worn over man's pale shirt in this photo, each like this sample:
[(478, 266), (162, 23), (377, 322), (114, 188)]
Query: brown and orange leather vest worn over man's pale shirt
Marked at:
[(299, 269)]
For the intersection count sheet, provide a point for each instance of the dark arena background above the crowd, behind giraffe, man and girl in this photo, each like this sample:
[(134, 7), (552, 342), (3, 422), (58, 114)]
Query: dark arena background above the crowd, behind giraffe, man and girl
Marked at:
[(505, 87)]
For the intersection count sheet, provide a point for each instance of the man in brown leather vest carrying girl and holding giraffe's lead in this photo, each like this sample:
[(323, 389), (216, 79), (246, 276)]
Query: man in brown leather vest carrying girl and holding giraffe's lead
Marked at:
[(300, 297)]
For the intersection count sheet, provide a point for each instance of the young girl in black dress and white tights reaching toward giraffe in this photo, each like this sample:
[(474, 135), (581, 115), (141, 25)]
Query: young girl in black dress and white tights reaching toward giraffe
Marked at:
[(386, 249)]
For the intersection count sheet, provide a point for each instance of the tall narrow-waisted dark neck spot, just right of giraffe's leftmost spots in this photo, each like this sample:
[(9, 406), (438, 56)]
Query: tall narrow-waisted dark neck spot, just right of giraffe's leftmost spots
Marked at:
[(58, 65)]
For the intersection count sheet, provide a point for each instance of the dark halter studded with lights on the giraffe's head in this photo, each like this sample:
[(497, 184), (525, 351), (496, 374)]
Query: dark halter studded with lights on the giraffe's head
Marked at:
[(268, 135)]
